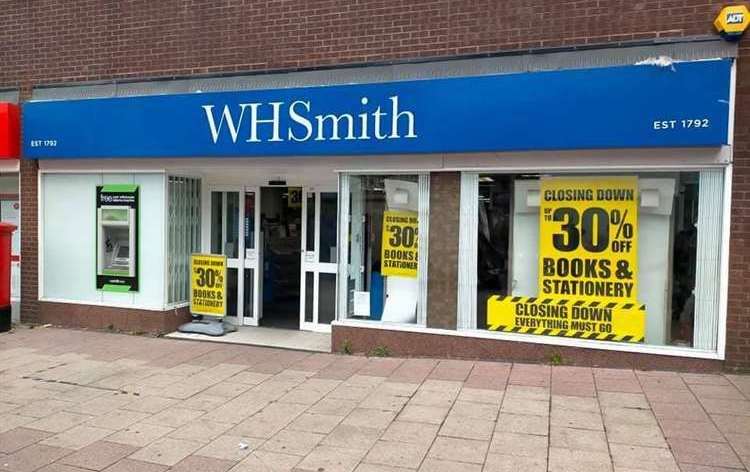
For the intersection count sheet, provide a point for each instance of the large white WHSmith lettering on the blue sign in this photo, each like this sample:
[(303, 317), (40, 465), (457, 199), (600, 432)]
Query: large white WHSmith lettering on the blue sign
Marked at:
[(262, 122)]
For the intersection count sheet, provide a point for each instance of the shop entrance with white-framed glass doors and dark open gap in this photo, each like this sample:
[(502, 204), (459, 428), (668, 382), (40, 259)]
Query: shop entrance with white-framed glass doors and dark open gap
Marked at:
[(281, 248)]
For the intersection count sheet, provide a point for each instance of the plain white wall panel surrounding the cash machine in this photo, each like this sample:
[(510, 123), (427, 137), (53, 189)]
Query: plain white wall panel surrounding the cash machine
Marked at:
[(68, 237)]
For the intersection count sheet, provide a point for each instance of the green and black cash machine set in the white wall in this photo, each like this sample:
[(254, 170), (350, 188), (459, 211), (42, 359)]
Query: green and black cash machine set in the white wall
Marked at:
[(117, 238)]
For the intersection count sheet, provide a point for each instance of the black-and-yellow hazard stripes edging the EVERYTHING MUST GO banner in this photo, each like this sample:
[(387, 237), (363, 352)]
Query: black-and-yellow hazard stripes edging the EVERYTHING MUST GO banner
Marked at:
[(564, 332)]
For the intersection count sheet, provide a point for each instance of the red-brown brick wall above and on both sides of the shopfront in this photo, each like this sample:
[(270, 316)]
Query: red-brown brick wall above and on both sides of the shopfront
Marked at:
[(47, 41)]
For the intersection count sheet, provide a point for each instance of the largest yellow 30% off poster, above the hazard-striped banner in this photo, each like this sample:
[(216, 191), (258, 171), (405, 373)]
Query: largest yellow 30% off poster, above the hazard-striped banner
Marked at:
[(588, 238)]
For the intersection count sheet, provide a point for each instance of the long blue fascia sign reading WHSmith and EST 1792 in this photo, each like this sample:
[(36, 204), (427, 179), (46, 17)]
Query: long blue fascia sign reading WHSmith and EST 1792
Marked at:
[(636, 106)]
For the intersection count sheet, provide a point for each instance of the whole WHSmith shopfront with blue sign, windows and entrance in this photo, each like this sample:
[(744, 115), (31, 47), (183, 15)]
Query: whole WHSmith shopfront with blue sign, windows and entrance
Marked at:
[(579, 201)]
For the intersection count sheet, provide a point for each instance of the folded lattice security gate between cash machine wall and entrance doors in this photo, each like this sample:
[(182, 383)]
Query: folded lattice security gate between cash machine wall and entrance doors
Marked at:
[(184, 237)]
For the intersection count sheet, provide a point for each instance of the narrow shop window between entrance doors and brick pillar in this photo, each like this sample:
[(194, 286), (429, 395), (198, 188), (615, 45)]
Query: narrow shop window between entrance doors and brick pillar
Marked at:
[(386, 240)]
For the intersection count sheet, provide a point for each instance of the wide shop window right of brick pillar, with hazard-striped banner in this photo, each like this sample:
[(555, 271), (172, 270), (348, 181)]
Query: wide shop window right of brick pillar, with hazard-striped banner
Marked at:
[(626, 257)]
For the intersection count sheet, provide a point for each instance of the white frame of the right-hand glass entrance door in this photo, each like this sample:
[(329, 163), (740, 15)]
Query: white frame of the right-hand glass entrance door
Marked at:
[(310, 261)]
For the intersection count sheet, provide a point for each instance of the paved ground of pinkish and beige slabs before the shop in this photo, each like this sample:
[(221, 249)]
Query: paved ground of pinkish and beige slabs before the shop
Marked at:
[(74, 401)]
